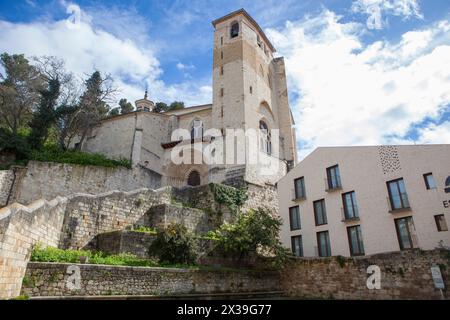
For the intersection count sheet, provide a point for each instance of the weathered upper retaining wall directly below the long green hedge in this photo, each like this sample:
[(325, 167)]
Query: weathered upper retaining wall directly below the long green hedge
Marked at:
[(49, 180)]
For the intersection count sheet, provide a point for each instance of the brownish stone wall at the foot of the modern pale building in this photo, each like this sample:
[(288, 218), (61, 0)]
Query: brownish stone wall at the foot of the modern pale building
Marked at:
[(404, 275)]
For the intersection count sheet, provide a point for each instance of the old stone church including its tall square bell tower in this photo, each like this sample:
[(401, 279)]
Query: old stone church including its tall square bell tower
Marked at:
[(249, 92)]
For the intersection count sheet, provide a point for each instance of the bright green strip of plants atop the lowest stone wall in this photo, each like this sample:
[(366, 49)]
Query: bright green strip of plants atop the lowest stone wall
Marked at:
[(50, 254)]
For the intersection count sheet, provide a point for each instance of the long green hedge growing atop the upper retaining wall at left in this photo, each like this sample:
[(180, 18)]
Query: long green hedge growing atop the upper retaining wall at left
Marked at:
[(56, 154)]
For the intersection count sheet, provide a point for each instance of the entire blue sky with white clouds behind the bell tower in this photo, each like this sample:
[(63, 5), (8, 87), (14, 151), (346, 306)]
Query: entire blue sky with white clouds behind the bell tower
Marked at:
[(359, 71)]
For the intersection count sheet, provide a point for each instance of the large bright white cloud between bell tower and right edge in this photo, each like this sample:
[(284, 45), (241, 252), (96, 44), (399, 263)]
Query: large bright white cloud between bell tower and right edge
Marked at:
[(350, 93)]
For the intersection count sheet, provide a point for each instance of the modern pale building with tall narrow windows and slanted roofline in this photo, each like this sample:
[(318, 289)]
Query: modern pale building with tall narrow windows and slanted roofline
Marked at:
[(353, 201)]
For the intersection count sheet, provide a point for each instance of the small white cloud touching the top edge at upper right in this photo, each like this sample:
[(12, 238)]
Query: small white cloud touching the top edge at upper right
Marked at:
[(376, 8)]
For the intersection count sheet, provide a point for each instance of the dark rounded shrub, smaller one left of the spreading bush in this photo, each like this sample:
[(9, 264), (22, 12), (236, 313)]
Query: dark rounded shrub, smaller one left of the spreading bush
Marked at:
[(175, 245)]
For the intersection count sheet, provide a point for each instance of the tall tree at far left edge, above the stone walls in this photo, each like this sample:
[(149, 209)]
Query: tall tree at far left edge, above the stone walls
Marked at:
[(19, 91)]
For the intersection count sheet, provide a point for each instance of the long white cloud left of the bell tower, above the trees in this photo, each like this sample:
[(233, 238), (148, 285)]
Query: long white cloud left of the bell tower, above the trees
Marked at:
[(85, 45)]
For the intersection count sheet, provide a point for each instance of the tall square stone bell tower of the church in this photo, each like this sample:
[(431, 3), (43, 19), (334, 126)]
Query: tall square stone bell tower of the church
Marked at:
[(249, 85)]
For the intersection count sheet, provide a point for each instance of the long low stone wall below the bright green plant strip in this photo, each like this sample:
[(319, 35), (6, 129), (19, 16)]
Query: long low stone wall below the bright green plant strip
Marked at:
[(50, 279)]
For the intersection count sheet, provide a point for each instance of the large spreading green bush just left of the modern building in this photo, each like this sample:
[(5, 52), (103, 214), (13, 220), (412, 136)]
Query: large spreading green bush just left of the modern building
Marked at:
[(253, 232)]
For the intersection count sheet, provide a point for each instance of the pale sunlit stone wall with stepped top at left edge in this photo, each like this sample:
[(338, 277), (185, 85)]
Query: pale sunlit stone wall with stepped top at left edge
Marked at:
[(20, 229)]
